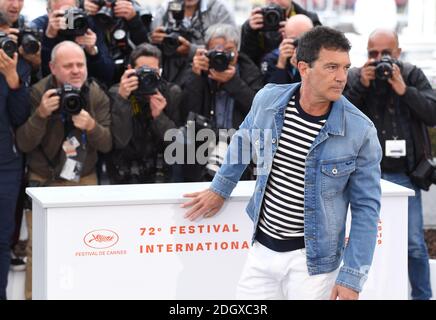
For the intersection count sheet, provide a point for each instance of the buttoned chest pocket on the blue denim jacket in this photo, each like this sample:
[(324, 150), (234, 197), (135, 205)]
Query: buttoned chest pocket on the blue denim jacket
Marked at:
[(335, 174)]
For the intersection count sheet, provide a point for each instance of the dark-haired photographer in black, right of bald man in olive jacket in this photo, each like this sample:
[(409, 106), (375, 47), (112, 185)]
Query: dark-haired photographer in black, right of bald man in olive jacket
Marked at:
[(144, 107)]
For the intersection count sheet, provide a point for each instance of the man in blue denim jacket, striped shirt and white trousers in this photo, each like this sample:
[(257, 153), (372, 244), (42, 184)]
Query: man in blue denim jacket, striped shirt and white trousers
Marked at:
[(316, 155)]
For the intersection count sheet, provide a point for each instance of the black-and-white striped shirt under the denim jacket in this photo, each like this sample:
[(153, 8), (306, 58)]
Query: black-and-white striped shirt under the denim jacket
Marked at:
[(281, 224)]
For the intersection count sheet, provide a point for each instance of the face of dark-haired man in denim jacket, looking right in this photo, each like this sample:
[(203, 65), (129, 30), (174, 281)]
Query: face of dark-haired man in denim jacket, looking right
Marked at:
[(327, 77)]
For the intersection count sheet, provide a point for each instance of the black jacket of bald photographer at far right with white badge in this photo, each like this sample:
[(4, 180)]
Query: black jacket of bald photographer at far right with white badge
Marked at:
[(416, 109)]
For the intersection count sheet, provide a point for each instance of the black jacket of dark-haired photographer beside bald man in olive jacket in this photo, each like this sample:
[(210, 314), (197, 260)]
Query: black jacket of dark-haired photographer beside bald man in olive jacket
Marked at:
[(137, 137)]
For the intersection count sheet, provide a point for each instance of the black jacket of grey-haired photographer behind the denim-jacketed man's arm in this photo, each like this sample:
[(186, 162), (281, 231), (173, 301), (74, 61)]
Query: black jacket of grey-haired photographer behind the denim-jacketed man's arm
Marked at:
[(242, 88)]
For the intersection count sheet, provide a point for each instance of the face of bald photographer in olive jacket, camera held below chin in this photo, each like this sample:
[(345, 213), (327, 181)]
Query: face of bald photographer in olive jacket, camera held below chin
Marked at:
[(69, 66)]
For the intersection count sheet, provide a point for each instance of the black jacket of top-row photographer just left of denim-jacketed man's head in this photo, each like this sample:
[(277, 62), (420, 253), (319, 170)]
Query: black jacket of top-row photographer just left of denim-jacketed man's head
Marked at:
[(257, 43)]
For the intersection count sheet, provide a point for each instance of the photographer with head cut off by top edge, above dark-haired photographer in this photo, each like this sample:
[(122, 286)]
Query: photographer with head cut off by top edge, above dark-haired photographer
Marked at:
[(121, 21)]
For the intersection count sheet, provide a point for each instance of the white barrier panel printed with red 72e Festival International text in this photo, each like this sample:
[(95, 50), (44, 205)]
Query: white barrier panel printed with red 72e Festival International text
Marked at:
[(132, 242)]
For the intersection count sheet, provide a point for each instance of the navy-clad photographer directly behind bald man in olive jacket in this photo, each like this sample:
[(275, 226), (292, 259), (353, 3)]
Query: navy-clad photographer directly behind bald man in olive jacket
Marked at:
[(65, 21)]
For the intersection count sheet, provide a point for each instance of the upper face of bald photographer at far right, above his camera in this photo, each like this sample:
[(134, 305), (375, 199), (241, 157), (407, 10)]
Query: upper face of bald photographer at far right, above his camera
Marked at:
[(383, 44)]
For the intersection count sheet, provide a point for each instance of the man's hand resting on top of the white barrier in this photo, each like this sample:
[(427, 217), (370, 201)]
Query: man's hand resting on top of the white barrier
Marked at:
[(205, 203)]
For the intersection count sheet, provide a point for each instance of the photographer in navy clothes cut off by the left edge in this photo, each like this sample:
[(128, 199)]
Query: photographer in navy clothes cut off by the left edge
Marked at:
[(14, 111)]
